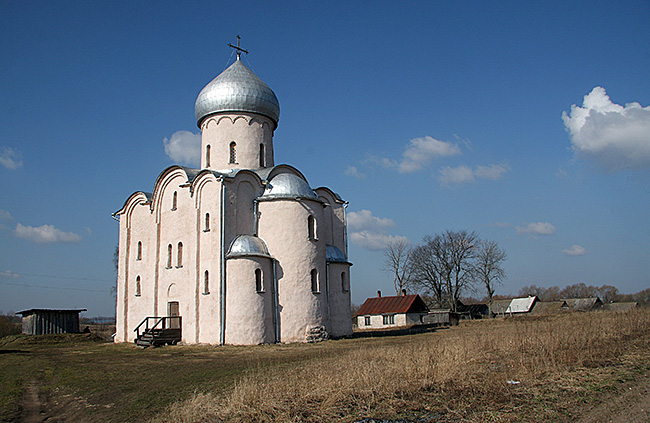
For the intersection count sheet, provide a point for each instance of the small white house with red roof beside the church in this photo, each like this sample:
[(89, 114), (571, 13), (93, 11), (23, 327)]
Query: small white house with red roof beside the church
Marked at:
[(388, 312)]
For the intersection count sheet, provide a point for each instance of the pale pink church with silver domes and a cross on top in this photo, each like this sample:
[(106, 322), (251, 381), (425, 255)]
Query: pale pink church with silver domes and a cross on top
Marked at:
[(241, 251)]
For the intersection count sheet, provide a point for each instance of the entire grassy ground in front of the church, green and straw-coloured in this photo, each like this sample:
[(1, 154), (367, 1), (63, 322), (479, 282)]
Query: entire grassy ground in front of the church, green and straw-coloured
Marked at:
[(584, 367)]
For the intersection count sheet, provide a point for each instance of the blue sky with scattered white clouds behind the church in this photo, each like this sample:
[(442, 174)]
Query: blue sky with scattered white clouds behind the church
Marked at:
[(425, 116)]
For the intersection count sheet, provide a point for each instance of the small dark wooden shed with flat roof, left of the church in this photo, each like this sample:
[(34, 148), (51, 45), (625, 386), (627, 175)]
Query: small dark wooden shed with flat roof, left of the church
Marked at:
[(40, 321)]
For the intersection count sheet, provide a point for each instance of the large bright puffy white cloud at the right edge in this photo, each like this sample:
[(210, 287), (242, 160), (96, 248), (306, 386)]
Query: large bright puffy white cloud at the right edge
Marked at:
[(612, 136)]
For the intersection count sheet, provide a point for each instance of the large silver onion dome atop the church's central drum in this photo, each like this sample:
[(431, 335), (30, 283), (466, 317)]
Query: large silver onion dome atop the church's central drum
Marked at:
[(237, 89)]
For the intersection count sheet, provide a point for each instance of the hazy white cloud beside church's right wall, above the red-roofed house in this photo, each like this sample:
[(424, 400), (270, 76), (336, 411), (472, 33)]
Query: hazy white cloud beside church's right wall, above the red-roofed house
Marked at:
[(370, 232)]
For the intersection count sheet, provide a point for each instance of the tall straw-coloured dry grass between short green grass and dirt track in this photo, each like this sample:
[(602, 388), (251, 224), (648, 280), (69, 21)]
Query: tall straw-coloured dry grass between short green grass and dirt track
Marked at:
[(469, 373)]
